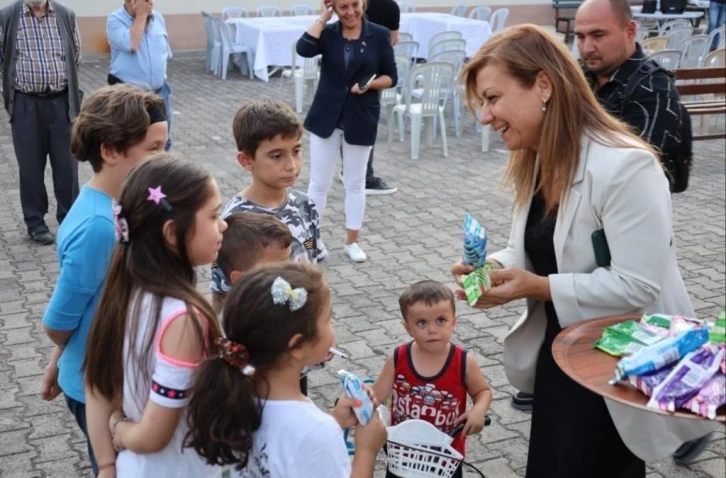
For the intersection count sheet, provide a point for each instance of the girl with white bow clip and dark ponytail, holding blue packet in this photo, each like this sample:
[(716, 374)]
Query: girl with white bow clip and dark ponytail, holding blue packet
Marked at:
[(247, 411)]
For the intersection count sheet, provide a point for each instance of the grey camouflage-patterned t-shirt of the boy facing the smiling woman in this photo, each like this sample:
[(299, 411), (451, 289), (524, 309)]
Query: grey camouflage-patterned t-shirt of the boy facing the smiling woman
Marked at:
[(299, 214)]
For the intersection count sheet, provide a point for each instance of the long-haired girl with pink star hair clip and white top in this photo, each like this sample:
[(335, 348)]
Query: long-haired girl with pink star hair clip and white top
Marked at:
[(152, 326)]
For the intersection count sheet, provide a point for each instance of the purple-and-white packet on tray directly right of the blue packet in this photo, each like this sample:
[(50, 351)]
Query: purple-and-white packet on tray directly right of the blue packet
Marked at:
[(686, 379)]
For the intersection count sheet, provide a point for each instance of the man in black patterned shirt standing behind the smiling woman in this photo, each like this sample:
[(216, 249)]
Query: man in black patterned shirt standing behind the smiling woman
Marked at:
[(649, 102)]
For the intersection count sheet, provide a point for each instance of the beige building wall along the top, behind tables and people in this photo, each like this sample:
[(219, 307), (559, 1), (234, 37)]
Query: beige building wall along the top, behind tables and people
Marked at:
[(186, 28)]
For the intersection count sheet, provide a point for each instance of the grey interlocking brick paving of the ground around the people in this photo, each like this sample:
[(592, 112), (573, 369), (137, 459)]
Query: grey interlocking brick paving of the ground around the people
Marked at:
[(408, 236)]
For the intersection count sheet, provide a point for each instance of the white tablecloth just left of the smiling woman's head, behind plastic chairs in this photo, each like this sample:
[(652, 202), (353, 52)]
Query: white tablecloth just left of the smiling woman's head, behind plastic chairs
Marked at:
[(423, 26)]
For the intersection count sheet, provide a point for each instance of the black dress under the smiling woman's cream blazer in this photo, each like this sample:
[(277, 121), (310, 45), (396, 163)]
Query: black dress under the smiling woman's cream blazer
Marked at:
[(572, 434)]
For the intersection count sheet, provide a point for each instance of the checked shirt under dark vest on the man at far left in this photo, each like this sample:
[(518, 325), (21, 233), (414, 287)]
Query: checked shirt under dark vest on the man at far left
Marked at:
[(41, 62)]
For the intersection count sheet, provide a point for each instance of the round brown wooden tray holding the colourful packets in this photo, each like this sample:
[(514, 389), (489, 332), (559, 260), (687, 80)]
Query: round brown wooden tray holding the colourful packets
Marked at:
[(574, 352)]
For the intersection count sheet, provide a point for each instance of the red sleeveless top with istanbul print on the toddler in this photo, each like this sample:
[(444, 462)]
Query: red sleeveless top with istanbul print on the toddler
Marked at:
[(439, 400)]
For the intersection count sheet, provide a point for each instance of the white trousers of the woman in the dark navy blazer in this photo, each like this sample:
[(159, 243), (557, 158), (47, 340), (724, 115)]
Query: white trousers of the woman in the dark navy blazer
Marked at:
[(323, 159)]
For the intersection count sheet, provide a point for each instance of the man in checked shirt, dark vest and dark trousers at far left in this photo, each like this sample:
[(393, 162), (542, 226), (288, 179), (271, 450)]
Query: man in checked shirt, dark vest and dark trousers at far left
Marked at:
[(40, 50)]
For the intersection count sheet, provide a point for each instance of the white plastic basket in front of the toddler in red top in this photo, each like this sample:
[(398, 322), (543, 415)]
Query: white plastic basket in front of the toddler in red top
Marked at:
[(416, 449)]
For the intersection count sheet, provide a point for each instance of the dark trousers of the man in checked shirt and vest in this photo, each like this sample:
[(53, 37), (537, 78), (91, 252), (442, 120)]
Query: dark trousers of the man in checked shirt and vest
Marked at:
[(40, 129)]
